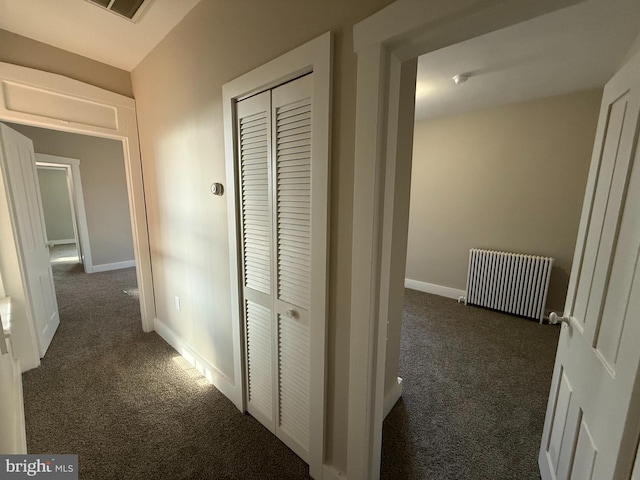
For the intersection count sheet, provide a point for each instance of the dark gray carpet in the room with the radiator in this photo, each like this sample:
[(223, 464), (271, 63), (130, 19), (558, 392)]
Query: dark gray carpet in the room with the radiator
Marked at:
[(476, 384)]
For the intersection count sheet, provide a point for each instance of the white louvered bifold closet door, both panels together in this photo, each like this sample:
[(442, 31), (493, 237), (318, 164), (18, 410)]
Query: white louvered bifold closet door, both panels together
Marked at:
[(274, 150)]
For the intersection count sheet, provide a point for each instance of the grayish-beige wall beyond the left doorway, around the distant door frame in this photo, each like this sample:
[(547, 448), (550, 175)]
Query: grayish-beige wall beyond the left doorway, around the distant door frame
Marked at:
[(104, 186)]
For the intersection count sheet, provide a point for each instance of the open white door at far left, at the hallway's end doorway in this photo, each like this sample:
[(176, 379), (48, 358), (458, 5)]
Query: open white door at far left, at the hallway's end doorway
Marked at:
[(19, 172)]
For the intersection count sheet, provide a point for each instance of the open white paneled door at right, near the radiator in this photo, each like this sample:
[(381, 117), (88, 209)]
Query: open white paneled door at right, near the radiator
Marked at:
[(591, 427)]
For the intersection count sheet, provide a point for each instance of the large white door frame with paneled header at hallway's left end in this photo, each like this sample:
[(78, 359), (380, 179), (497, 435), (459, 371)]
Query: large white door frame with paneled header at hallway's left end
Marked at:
[(43, 99)]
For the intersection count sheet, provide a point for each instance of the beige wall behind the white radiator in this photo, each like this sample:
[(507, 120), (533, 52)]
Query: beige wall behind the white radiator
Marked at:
[(510, 178)]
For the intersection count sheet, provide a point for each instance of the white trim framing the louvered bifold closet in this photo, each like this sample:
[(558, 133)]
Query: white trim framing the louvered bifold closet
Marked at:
[(314, 56)]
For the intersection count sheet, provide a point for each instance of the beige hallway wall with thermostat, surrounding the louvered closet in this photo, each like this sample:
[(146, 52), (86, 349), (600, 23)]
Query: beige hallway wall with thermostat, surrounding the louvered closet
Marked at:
[(178, 91)]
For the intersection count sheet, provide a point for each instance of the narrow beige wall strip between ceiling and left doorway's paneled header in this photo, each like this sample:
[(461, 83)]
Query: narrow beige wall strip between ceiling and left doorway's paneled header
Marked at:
[(26, 52)]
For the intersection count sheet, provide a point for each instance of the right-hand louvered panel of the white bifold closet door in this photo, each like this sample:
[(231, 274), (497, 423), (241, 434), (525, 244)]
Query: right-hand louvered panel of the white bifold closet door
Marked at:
[(291, 119)]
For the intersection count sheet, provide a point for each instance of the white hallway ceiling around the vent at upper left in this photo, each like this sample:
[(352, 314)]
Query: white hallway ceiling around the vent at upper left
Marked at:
[(83, 28)]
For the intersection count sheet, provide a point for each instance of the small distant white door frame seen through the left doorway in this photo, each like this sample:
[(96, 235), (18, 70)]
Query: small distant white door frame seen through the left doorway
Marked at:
[(72, 165)]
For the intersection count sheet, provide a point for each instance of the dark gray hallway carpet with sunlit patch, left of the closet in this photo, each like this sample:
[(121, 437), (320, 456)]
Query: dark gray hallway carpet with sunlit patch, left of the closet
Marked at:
[(128, 406)]
